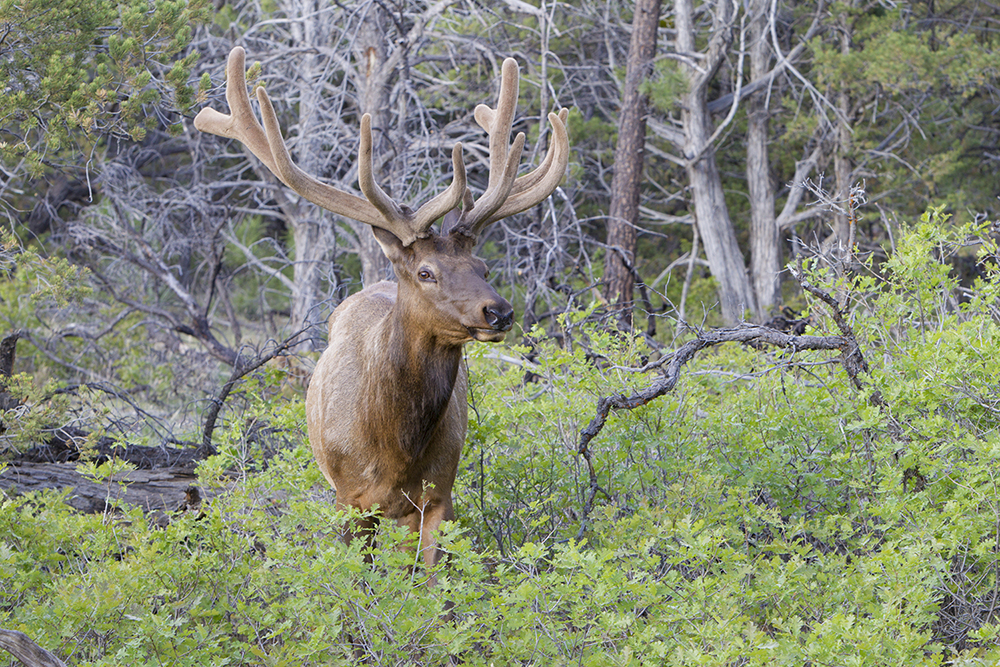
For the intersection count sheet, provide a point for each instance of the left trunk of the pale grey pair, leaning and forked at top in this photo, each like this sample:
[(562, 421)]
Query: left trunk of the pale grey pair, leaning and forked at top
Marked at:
[(711, 214)]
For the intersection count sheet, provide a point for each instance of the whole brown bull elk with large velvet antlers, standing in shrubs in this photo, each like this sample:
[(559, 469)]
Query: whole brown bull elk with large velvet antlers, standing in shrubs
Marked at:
[(386, 406)]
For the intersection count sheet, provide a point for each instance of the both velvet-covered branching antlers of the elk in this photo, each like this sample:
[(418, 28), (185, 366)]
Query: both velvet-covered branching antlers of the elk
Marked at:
[(505, 195)]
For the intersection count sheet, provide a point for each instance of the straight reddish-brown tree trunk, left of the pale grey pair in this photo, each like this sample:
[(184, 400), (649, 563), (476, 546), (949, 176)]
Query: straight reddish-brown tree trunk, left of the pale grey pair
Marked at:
[(623, 214)]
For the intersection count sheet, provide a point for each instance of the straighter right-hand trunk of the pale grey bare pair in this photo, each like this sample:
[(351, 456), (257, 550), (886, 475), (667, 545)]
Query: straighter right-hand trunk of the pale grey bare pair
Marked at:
[(765, 242)]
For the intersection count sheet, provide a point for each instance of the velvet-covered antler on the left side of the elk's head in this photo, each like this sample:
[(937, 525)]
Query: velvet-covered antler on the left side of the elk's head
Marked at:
[(266, 143)]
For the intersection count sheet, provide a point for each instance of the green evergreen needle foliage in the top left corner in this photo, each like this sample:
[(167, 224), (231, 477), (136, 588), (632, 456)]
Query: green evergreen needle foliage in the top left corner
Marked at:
[(79, 72)]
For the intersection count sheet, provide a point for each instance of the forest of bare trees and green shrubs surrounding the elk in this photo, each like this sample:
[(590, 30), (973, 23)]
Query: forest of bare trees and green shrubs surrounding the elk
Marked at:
[(639, 486)]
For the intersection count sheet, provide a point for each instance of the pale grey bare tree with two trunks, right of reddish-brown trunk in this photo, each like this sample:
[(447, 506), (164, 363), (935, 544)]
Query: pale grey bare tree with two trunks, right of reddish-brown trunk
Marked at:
[(734, 32)]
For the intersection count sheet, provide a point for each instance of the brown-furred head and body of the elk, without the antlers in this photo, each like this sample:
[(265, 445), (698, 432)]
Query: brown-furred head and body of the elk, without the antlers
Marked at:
[(386, 406)]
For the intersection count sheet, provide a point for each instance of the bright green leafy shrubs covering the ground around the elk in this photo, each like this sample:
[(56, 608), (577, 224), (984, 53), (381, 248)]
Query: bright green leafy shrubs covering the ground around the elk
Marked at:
[(766, 512)]
